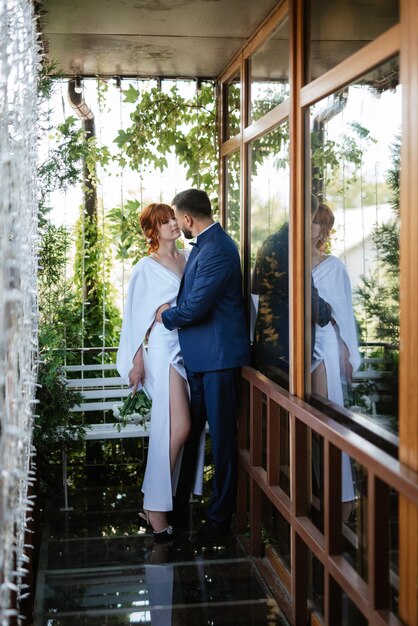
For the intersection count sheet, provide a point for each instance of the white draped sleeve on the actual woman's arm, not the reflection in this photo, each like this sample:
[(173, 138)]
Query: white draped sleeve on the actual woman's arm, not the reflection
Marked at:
[(149, 287)]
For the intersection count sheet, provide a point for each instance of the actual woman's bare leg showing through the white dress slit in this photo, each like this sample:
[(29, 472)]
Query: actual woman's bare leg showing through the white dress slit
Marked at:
[(179, 431)]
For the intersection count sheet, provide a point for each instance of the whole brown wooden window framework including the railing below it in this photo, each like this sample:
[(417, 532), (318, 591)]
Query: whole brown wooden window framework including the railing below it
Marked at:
[(384, 471)]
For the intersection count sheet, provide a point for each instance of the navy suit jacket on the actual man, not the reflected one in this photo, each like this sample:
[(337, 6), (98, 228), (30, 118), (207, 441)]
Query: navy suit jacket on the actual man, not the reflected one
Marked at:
[(210, 315)]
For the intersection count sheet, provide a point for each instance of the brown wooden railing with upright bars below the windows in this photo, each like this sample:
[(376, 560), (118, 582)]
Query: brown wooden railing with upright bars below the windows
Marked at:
[(260, 447)]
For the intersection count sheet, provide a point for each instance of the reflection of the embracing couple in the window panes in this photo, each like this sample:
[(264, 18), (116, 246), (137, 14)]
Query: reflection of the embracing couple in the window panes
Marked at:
[(334, 344)]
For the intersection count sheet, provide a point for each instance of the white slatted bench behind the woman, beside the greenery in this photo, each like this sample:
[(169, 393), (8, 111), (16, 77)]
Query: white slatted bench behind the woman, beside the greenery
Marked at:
[(99, 394)]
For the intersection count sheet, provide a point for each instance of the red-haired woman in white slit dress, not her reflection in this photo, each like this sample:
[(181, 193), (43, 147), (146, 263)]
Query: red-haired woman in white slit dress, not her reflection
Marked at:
[(149, 356)]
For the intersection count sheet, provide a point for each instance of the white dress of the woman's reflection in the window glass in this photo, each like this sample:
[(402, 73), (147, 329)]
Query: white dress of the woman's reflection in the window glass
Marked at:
[(331, 279)]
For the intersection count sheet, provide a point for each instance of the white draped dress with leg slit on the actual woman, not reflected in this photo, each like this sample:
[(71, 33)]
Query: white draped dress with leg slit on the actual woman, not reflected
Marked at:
[(151, 285)]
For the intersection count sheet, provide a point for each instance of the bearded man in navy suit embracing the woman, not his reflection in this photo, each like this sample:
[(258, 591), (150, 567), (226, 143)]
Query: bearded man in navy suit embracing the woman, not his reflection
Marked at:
[(214, 341)]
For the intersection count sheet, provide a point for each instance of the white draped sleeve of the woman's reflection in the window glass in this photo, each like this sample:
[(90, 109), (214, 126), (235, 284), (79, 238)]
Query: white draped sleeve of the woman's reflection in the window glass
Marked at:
[(333, 284)]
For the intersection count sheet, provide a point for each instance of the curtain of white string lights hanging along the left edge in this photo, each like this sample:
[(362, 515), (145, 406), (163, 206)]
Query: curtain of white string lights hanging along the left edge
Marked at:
[(19, 59)]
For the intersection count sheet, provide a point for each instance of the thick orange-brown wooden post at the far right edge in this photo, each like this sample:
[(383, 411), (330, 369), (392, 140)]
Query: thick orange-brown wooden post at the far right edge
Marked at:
[(408, 388)]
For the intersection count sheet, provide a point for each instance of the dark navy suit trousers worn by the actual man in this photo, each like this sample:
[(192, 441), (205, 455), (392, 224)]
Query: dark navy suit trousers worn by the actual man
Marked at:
[(214, 398)]
